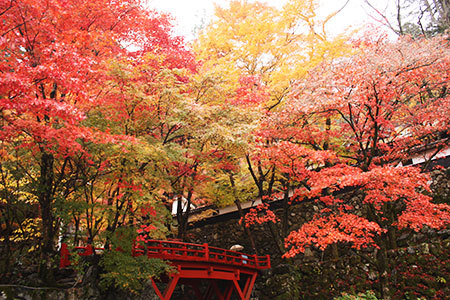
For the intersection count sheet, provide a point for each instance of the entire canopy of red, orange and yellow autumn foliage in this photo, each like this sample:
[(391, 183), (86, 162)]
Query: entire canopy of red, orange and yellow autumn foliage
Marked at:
[(107, 119)]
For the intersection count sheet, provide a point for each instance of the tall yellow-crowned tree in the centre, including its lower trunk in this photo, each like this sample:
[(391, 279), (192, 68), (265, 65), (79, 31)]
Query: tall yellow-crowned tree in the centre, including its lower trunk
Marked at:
[(254, 52)]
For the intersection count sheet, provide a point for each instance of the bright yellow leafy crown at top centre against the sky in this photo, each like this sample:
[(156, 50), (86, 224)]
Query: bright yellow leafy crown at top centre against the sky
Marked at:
[(279, 45)]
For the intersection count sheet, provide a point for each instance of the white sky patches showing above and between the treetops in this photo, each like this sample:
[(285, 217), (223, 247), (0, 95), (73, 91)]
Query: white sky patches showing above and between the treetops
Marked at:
[(190, 14)]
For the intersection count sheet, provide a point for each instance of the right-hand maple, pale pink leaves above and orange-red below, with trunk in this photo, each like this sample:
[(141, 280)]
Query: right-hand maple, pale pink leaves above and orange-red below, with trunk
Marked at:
[(348, 126)]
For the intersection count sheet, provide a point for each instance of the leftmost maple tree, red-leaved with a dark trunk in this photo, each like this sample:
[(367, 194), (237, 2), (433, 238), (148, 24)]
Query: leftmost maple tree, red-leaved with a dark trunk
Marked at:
[(56, 66)]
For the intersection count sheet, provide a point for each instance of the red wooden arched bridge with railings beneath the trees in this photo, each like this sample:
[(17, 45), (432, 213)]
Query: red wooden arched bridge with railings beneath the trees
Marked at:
[(211, 272)]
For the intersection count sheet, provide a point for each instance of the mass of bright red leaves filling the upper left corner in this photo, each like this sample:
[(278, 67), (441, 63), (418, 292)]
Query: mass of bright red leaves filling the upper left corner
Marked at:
[(56, 63)]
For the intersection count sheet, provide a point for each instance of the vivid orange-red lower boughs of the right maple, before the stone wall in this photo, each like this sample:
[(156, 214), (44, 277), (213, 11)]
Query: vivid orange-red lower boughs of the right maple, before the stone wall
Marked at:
[(394, 197)]
